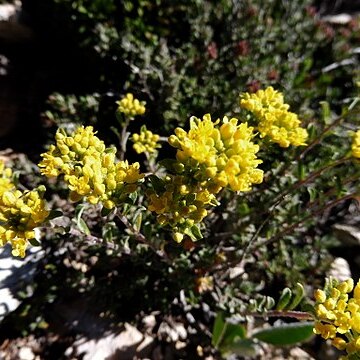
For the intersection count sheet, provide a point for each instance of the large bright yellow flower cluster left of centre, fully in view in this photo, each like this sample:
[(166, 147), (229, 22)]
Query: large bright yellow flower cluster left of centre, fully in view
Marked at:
[(89, 168)]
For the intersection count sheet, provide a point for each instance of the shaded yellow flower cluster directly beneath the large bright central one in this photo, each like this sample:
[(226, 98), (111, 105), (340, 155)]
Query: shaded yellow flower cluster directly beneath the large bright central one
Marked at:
[(181, 205)]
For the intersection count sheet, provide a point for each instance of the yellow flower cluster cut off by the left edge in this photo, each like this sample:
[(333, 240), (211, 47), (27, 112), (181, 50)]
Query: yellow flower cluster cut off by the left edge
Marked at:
[(20, 213)]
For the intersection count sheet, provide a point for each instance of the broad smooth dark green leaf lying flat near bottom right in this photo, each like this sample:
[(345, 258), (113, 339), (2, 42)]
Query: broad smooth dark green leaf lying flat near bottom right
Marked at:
[(286, 334)]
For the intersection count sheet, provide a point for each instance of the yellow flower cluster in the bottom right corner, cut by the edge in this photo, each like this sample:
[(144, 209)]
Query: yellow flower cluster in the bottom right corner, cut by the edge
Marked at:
[(337, 316)]
